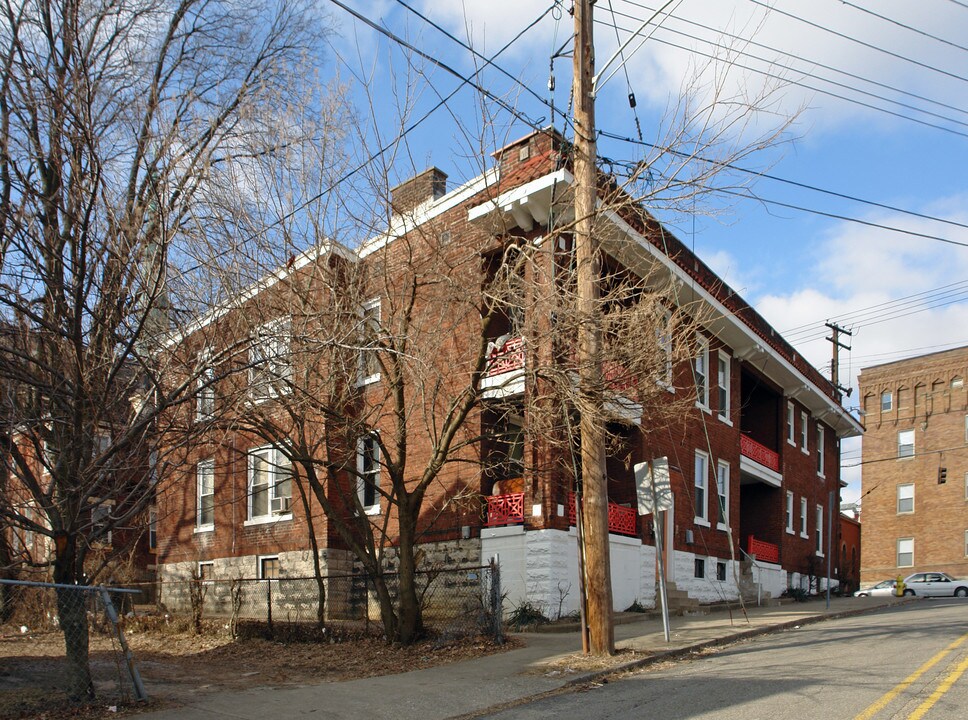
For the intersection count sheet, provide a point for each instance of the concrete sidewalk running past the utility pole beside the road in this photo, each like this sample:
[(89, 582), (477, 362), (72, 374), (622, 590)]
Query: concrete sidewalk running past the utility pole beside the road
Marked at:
[(471, 687)]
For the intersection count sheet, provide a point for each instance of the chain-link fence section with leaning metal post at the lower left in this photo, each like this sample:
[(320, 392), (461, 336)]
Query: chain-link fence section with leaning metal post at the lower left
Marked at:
[(63, 642)]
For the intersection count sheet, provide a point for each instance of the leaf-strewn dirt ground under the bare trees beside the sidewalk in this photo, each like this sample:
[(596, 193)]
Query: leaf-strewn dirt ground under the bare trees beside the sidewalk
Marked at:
[(176, 664)]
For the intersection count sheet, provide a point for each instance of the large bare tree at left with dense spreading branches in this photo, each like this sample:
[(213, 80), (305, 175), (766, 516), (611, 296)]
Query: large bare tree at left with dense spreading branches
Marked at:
[(113, 118)]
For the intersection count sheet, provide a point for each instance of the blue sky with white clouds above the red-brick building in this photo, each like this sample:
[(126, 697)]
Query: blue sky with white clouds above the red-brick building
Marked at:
[(798, 268)]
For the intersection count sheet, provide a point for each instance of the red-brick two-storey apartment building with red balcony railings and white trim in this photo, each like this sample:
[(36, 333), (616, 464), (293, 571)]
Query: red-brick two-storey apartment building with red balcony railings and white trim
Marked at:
[(754, 461)]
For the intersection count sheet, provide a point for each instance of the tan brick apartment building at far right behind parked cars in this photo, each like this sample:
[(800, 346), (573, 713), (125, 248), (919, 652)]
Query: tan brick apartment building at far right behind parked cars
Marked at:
[(915, 473)]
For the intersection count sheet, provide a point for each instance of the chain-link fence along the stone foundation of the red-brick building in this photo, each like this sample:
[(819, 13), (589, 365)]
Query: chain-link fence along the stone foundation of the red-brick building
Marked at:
[(460, 601)]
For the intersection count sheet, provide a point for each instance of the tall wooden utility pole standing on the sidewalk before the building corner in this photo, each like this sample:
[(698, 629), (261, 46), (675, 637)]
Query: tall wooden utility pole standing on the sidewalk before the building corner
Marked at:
[(598, 582)]
